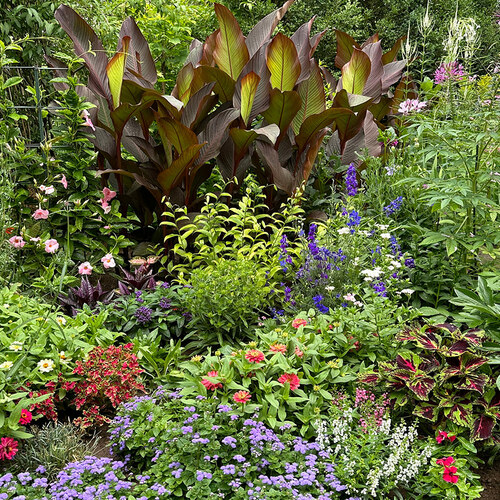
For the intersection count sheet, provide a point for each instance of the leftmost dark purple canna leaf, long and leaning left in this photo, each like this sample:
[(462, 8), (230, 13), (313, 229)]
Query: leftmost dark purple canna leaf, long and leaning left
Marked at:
[(88, 47)]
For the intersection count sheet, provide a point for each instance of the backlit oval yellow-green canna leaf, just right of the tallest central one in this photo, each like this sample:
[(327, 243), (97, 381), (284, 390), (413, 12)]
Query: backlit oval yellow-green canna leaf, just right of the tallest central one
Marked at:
[(283, 63)]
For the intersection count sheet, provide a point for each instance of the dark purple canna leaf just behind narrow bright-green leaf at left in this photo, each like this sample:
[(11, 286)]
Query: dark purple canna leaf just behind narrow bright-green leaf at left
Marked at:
[(140, 60)]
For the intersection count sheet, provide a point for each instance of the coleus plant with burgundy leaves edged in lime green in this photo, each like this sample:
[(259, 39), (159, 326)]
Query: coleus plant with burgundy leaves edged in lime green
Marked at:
[(442, 377)]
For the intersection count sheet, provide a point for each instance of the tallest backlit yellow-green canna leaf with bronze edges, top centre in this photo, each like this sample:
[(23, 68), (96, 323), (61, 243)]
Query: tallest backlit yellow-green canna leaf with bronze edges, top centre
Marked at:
[(231, 53)]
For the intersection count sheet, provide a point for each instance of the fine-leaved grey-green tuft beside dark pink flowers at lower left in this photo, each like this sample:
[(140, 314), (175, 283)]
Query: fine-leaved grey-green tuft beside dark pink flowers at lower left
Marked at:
[(53, 446)]
